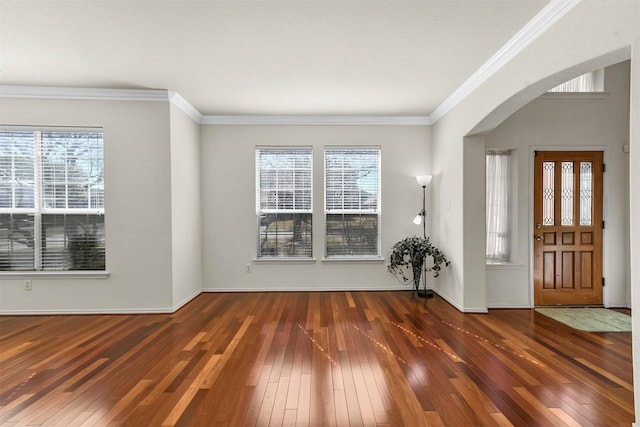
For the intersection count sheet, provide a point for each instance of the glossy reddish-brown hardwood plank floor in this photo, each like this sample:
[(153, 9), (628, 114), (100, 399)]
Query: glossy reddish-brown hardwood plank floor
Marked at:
[(324, 358)]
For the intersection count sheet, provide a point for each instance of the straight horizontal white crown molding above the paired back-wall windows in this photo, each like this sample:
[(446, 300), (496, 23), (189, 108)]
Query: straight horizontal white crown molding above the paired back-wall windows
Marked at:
[(315, 120)]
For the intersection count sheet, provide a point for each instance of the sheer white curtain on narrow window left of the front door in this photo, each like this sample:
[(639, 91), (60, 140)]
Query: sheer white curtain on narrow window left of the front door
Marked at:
[(498, 205)]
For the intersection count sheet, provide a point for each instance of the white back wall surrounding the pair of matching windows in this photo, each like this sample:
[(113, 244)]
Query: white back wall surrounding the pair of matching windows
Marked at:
[(228, 205)]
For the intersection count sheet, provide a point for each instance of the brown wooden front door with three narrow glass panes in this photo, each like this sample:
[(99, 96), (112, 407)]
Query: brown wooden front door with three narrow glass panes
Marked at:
[(568, 228)]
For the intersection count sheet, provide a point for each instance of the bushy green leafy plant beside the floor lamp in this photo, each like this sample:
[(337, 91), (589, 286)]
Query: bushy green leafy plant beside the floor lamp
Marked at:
[(411, 254)]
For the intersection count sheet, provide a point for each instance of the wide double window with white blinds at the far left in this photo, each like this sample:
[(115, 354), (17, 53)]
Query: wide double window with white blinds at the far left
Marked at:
[(51, 200)]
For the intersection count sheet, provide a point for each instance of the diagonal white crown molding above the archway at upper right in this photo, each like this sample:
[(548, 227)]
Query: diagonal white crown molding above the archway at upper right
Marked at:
[(548, 16)]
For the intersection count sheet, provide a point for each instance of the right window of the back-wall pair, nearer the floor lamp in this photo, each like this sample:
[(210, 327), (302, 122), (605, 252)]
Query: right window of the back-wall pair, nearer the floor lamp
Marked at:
[(352, 201)]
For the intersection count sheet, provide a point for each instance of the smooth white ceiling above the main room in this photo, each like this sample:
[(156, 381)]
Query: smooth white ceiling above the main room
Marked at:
[(314, 57)]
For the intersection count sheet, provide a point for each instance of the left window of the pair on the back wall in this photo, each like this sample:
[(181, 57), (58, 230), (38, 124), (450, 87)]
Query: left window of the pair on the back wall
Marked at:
[(284, 202)]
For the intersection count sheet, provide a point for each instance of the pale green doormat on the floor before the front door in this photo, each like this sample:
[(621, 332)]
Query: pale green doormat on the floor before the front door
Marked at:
[(589, 319)]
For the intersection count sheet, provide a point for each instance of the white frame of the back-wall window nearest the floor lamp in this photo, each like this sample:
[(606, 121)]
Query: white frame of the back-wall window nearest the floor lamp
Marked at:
[(377, 211)]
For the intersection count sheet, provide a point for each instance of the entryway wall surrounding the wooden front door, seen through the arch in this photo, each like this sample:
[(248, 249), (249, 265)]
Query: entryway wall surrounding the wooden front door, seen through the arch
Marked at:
[(554, 121)]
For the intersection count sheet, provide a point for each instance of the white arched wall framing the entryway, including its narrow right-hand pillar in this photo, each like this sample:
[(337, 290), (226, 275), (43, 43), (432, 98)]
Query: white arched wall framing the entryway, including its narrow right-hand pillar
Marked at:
[(592, 35)]
